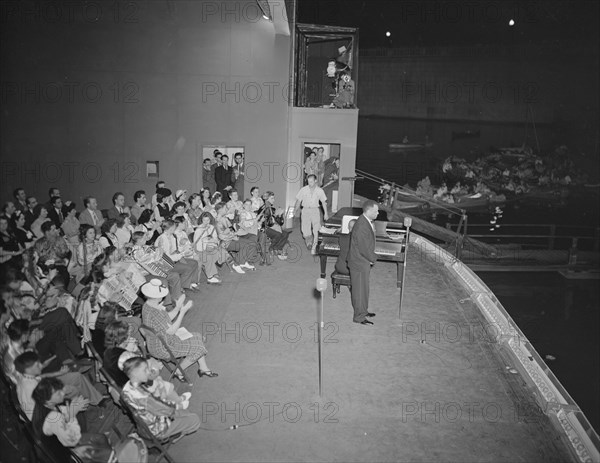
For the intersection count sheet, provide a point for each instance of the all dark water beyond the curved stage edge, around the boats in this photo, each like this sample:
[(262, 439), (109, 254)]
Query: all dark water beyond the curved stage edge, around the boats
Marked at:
[(560, 317)]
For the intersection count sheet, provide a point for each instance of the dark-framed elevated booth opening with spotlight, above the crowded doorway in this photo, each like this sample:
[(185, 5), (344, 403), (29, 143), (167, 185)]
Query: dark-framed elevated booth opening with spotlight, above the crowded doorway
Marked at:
[(326, 71)]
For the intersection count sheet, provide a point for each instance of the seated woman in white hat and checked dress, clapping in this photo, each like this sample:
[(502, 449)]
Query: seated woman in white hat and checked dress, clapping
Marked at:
[(168, 324)]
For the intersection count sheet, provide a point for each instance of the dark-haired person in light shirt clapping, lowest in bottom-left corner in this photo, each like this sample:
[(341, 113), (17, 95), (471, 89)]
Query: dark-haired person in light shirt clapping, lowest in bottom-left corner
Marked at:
[(55, 423)]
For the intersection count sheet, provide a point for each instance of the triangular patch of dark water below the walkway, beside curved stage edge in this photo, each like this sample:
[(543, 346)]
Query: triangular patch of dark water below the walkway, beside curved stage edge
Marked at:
[(561, 318)]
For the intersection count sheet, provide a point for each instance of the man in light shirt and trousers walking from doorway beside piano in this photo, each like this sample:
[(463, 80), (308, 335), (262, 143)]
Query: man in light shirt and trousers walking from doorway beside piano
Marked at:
[(308, 197)]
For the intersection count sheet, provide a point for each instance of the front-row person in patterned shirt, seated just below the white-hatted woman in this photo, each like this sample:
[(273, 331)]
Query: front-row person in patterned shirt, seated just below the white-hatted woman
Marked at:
[(152, 403)]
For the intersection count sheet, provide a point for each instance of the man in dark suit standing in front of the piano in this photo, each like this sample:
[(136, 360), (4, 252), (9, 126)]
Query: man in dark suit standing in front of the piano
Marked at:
[(361, 258)]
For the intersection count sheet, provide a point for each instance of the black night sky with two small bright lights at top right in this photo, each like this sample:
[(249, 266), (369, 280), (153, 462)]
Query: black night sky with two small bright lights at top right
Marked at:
[(459, 22)]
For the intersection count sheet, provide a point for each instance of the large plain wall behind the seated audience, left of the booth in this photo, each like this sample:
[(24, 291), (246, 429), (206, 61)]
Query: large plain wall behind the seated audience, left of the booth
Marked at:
[(90, 93)]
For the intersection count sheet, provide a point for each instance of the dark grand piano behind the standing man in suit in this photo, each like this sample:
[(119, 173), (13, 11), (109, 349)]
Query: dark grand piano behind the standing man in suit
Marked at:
[(390, 245)]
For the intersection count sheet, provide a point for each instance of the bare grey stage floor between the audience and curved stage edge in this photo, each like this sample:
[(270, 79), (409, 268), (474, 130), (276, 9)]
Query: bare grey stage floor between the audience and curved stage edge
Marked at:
[(387, 396)]
